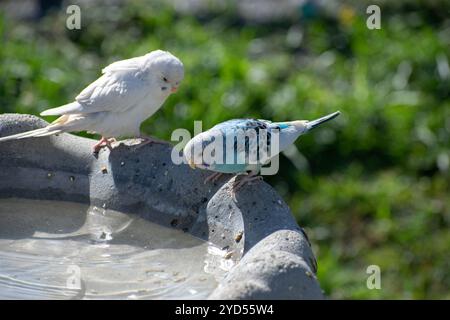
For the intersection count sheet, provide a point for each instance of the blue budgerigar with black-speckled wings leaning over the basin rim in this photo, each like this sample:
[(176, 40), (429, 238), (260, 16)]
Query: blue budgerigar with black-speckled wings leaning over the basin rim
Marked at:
[(243, 146)]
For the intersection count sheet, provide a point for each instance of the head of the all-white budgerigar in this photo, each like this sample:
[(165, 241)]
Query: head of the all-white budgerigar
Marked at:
[(167, 70)]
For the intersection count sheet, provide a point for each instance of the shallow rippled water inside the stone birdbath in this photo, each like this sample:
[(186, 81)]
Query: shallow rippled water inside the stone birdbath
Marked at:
[(62, 250)]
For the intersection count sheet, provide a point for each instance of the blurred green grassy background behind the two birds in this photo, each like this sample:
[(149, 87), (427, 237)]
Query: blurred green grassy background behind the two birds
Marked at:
[(372, 187)]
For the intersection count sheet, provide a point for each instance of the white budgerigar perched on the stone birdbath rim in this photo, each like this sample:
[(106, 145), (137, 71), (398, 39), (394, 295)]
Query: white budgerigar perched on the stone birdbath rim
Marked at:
[(115, 105)]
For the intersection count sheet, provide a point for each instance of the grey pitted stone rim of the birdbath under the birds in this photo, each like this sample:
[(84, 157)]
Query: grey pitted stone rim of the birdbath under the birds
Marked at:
[(273, 255)]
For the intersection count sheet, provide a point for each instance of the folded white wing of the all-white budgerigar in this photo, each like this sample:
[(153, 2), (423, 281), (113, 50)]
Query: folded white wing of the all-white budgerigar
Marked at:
[(120, 87)]
